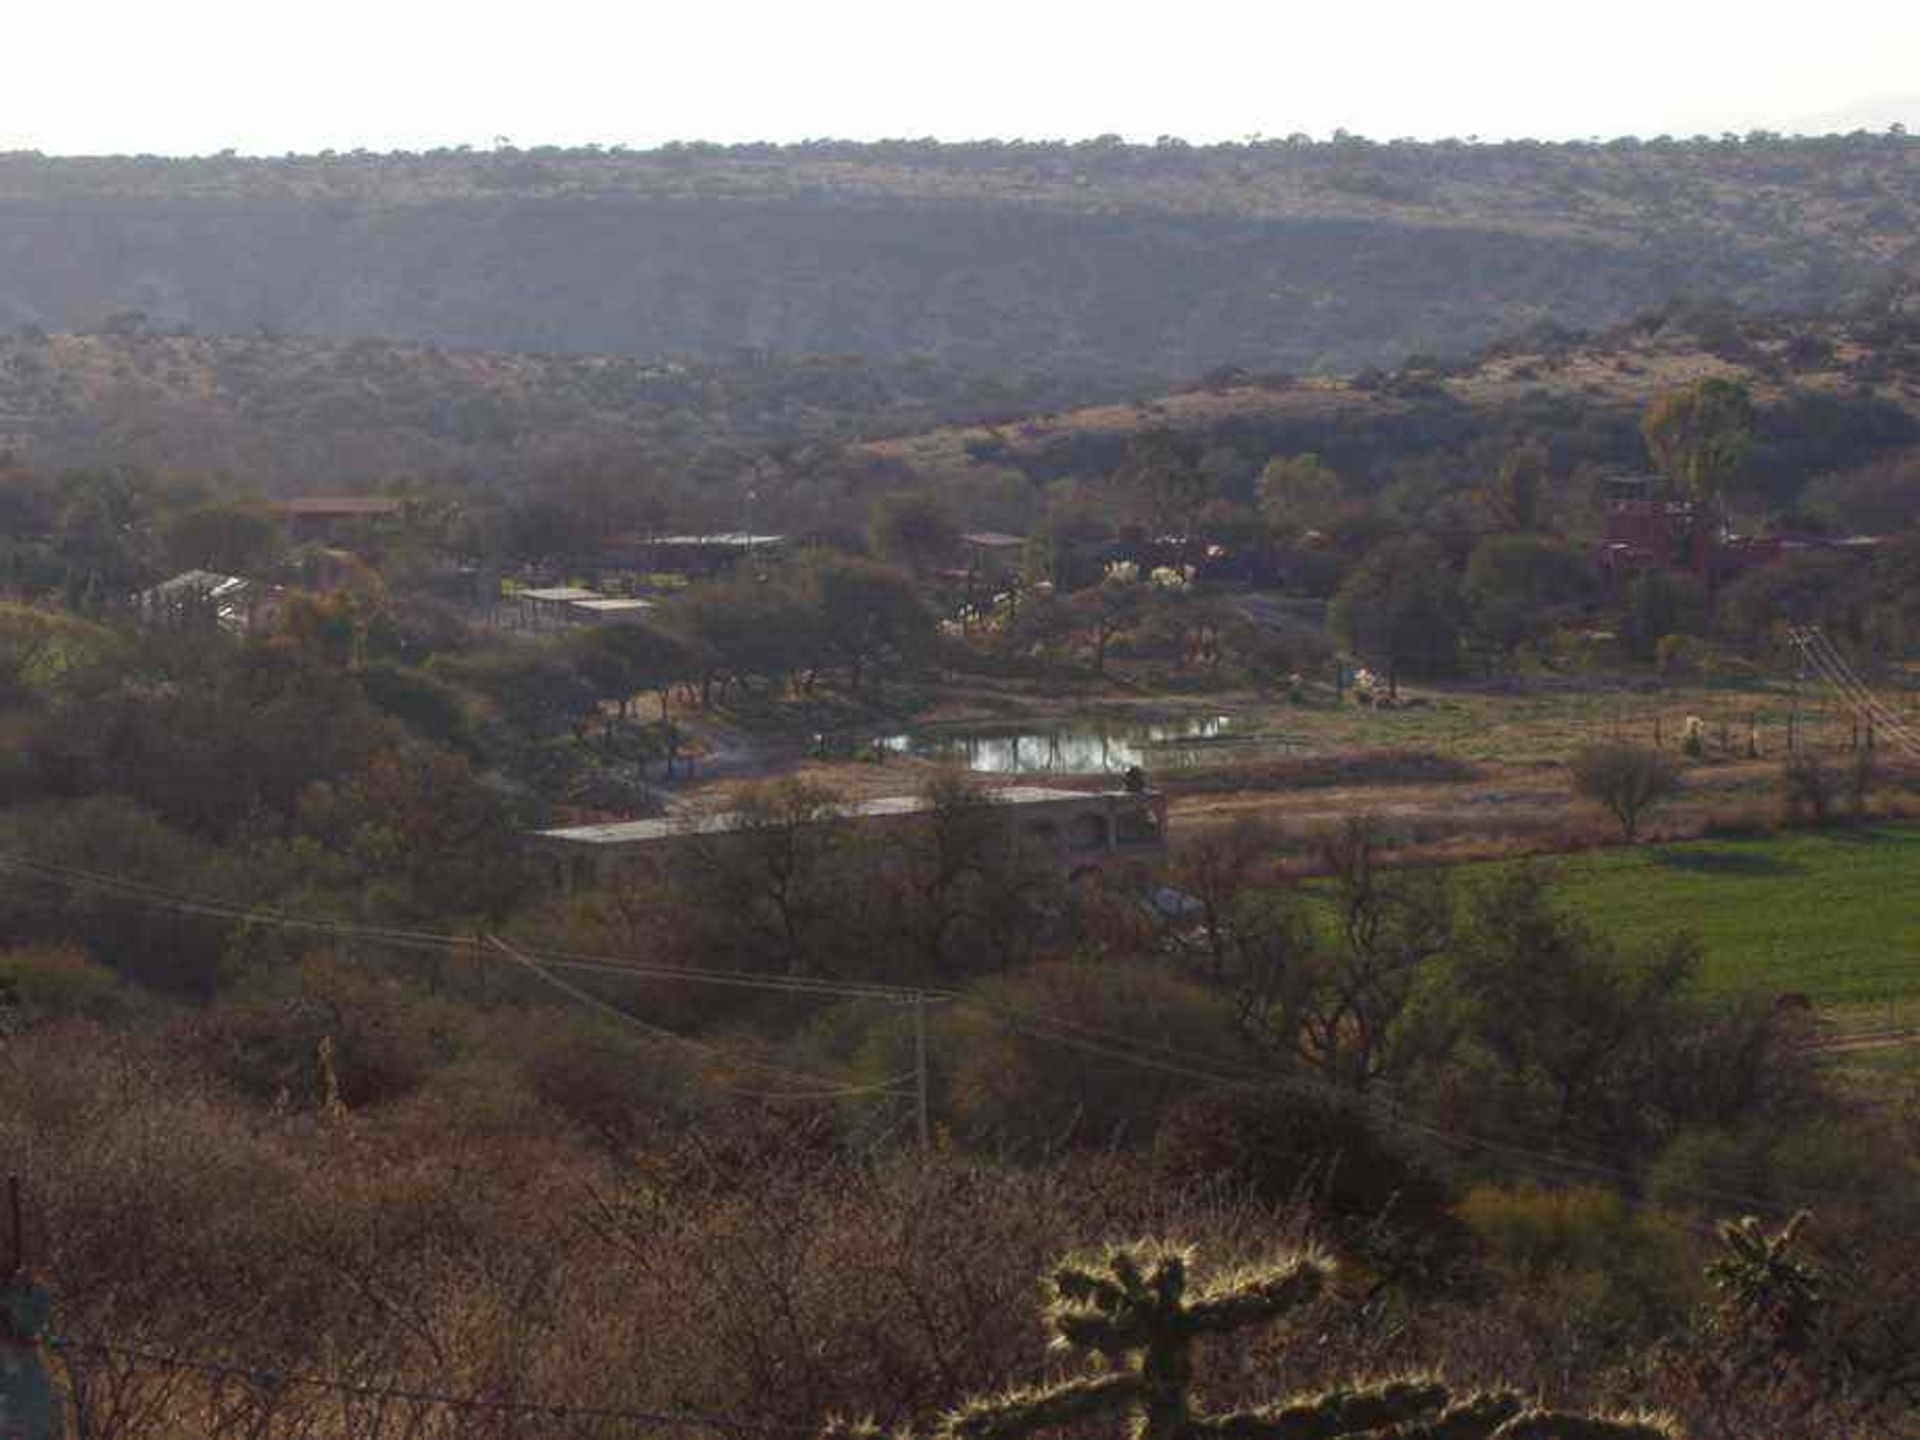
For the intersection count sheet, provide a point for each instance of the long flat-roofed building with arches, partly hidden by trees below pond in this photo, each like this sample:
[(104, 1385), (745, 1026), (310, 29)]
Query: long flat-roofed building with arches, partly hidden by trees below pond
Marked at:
[(1118, 834)]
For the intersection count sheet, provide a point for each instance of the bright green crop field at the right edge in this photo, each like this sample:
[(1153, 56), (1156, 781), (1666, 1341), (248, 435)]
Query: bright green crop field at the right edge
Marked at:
[(1831, 915)]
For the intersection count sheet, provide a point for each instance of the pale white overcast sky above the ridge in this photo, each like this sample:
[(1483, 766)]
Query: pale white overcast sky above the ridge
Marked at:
[(262, 78)]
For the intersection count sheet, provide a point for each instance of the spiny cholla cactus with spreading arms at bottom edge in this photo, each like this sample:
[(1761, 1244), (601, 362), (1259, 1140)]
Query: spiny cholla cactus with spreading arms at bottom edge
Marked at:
[(1132, 1312)]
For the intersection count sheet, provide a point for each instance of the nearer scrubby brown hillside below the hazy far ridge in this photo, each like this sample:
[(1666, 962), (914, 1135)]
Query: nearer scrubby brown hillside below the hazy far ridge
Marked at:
[(821, 437)]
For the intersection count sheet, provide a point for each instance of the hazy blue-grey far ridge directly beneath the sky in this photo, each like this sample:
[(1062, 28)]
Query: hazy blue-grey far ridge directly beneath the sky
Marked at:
[(1097, 256)]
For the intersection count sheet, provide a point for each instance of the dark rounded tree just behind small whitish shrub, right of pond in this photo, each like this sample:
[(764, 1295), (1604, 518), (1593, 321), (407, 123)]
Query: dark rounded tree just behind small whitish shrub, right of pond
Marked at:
[(1403, 606)]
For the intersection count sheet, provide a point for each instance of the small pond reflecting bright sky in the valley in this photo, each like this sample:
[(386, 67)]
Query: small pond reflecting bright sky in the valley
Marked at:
[(1084, 750)]
